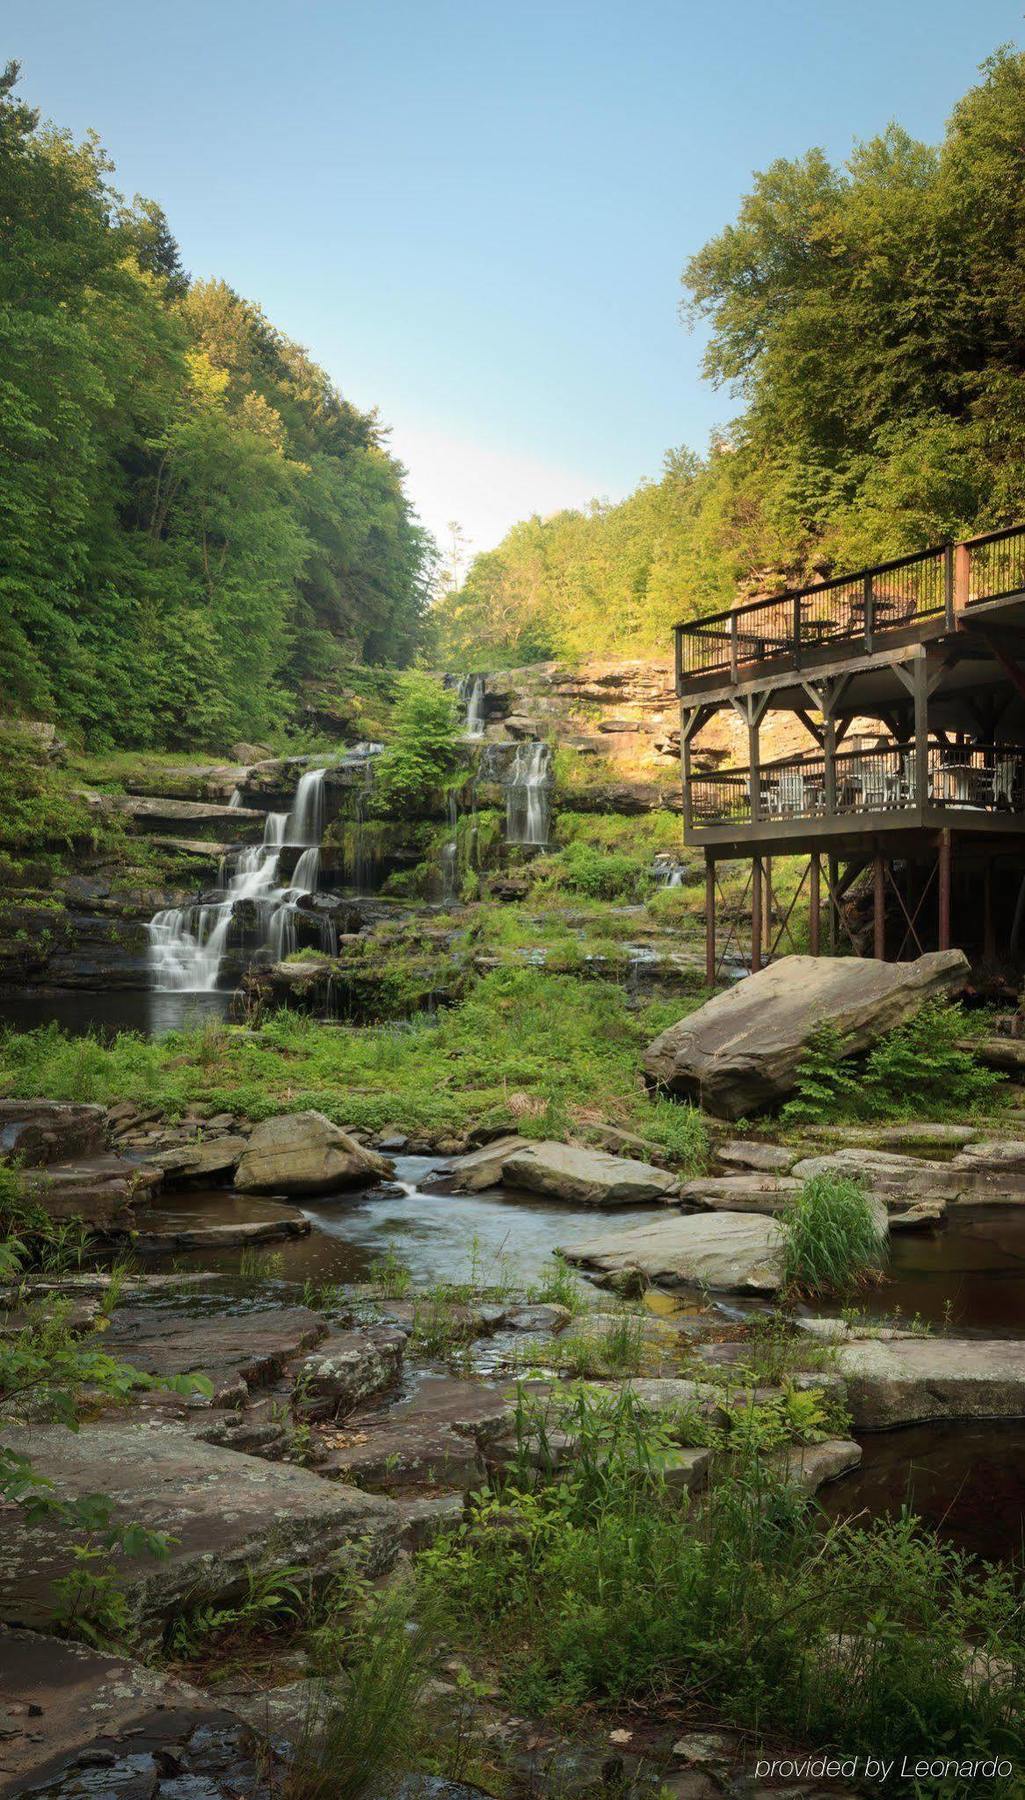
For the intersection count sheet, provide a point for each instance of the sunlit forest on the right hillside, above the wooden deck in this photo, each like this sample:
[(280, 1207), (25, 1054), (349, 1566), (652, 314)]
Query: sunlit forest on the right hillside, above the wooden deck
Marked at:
[(873, 323)]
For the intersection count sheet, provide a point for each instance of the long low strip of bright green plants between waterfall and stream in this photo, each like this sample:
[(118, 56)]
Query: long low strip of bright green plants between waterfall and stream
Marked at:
[(523, 1048)]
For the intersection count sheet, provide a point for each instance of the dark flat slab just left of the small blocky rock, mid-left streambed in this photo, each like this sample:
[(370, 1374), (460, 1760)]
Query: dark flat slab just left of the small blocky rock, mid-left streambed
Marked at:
[(239, 1351)]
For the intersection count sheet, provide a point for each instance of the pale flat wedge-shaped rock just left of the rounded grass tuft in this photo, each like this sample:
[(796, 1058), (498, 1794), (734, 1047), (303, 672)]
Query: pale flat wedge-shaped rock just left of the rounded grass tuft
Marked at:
[(730, 1254)]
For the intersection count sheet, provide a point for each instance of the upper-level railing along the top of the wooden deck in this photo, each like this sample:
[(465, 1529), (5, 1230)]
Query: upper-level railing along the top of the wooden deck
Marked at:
[(866, 606)]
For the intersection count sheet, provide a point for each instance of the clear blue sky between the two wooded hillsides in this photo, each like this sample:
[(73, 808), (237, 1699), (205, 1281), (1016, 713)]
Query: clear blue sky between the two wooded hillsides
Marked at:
[(476, 213)]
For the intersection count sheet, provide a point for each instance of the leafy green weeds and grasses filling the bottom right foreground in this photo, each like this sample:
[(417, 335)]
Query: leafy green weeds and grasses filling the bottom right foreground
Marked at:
[(606, 1587)]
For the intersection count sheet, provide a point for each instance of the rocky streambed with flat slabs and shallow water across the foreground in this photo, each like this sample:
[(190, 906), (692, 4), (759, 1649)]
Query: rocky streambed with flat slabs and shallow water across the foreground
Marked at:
[(368, 1315)]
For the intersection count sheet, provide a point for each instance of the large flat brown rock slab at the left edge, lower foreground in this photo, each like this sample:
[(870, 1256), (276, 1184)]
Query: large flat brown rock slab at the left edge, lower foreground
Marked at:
[(224, 1513)]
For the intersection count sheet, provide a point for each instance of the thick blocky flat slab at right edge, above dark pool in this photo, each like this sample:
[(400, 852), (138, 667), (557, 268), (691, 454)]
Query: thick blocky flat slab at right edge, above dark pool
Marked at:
[(903, 1381)]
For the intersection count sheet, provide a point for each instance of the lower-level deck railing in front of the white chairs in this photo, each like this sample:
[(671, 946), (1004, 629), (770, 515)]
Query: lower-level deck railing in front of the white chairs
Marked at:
[(975, 778)]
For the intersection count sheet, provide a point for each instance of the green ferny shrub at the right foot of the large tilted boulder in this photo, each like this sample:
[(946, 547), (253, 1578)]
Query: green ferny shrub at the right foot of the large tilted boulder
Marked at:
[(916, 1072)]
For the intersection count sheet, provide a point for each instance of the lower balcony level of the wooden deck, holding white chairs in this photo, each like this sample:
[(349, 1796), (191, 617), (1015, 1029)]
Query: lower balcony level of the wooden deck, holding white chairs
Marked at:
[(869, 789)]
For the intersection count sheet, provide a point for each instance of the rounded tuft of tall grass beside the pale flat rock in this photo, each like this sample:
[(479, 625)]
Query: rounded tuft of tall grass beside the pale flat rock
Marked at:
[(833, 1241)]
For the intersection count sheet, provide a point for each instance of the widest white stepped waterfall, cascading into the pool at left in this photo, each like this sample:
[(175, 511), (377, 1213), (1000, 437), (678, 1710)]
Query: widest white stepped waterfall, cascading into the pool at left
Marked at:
[(188, 944)]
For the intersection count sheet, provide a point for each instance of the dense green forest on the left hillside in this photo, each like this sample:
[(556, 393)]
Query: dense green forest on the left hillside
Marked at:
[(192, 517)]
